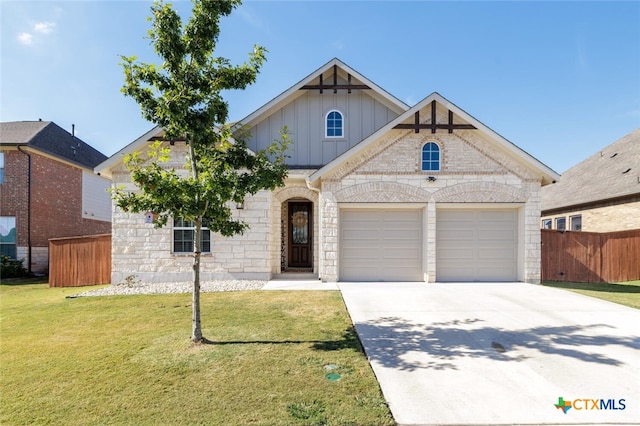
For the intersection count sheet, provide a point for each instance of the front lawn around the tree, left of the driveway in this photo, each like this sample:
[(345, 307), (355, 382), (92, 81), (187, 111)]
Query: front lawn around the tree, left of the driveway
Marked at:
[(127, 360)]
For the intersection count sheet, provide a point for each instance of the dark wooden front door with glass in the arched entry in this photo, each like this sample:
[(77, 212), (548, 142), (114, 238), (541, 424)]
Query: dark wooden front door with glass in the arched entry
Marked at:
[(300, 235)]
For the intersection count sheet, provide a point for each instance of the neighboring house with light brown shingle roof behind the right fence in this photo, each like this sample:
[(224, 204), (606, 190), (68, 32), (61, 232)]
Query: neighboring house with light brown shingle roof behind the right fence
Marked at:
[(600, 194)]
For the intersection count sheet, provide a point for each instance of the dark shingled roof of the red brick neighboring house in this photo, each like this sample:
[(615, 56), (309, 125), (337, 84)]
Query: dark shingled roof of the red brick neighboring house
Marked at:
[(49, 138)]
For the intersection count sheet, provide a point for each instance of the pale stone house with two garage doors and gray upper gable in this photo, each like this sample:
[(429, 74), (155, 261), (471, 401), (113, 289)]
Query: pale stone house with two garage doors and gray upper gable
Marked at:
[(377, 190)]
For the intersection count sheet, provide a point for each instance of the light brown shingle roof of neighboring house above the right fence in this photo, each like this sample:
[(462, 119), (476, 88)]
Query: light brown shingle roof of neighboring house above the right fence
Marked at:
[(612, 173)]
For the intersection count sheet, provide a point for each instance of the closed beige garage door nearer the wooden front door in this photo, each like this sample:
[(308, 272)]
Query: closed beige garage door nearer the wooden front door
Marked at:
[(377, 245)]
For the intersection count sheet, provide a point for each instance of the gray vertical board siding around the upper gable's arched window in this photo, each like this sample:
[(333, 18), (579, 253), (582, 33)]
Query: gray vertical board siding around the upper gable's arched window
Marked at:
[(305, 119)]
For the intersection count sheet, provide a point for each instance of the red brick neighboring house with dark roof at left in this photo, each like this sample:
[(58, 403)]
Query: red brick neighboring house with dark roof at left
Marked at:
[(47, 190)]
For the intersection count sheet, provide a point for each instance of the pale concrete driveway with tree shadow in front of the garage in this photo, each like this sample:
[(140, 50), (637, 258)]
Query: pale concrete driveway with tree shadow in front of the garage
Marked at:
[(498, 353)]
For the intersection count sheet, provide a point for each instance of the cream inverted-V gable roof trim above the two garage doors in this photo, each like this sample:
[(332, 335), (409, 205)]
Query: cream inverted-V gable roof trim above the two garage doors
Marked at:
[(547, 175)]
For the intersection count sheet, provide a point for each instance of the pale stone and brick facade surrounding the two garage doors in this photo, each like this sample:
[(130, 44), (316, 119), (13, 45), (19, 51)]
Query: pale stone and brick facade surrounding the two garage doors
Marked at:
[(470, 173)]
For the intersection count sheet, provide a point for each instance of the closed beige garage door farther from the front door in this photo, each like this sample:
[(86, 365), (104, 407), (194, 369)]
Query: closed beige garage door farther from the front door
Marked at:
[(476, 245)]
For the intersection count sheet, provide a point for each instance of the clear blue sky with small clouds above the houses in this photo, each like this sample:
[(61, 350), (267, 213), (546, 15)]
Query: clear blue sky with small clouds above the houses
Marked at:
[(559, 79)]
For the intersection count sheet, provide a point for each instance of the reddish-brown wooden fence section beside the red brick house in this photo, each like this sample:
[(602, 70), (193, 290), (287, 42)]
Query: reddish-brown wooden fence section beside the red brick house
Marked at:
[(78, 261)]
